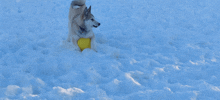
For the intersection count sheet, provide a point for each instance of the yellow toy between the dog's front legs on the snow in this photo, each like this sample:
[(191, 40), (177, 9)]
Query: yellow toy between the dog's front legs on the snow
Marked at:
[(84, 43)]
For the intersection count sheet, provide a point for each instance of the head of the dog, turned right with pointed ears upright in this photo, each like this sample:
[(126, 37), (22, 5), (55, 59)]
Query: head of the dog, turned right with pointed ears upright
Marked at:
[(89, 19)]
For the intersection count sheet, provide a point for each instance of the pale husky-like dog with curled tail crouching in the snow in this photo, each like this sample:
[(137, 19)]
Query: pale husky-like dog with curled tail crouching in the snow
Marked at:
[(81, 22)]
